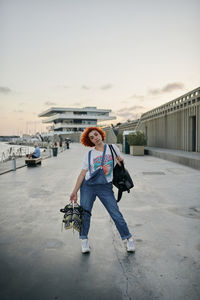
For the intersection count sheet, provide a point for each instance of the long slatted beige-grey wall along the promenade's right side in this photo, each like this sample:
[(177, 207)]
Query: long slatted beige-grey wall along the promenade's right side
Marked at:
[(173, 124)]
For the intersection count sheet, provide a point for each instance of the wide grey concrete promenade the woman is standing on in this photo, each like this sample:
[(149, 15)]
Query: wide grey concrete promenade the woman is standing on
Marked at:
[(41, 262)]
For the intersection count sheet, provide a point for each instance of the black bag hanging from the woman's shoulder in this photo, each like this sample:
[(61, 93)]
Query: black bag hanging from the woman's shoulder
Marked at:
[(121, 177)]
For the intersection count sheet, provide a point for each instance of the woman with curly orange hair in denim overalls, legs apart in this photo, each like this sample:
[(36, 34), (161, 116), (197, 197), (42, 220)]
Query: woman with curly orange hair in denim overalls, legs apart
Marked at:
[(95, 179)]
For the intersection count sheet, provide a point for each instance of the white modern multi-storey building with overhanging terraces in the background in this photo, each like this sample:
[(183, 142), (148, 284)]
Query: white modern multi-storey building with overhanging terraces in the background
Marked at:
[(71, 120)]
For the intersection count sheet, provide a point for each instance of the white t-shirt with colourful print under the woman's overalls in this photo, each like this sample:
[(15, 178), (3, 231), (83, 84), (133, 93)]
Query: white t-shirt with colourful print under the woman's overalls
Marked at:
[(96, 159)]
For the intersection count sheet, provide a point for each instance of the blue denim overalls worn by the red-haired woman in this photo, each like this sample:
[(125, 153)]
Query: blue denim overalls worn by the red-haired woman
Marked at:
[(97, 185)]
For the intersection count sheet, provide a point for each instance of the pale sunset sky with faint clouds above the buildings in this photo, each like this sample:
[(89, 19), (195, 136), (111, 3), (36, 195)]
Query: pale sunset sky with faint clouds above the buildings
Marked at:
[(129, 56)]
